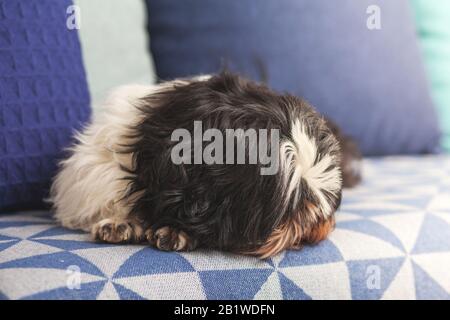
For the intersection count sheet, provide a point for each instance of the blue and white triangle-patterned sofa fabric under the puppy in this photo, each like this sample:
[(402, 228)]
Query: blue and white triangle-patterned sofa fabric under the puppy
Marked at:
[(392, 241)]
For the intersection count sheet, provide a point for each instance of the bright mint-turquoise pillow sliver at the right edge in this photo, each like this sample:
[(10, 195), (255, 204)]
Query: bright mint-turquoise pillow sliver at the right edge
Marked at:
[(433, 26)]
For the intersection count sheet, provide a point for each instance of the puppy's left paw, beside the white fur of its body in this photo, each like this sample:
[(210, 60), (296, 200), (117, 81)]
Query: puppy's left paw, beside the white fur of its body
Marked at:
[(115, 231)]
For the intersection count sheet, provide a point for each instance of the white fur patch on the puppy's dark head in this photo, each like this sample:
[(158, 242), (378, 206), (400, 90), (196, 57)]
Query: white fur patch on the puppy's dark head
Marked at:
[(300, 160)]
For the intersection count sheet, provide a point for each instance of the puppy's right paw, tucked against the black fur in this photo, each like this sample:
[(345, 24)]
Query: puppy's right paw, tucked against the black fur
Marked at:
[(169, 239)]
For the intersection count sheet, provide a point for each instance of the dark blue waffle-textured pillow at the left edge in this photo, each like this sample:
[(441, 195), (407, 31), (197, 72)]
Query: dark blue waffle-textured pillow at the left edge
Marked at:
[(43, 97)]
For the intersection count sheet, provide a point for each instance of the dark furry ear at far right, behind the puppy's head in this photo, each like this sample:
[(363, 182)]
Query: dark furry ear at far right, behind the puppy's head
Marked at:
[(351, 157)]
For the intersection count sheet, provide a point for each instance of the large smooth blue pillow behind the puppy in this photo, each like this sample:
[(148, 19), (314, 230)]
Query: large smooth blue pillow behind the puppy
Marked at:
[(371, 82)]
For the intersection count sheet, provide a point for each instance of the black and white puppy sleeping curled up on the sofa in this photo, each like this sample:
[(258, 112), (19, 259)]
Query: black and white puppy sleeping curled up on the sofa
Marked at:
[(124, 182)]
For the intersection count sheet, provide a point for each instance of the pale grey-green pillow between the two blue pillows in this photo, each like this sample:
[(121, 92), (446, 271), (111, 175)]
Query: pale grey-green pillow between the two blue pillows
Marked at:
[(114, 41)]
